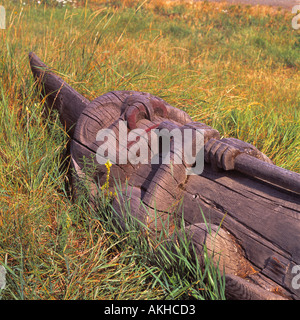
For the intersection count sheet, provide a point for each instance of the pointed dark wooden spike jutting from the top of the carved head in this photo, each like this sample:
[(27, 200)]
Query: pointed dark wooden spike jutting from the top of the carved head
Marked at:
[(59, 95)]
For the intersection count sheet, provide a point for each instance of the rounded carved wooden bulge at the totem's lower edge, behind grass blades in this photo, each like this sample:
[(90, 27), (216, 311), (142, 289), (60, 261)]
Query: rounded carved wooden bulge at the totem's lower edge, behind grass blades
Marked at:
[(227, 254)]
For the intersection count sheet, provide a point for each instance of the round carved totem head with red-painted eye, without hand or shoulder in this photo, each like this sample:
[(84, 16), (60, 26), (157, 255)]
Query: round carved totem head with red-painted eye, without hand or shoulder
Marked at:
[(120, 115)]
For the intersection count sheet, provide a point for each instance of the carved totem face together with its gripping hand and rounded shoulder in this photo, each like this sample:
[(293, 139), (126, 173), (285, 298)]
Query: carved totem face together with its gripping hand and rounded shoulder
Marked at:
[(160, 186)]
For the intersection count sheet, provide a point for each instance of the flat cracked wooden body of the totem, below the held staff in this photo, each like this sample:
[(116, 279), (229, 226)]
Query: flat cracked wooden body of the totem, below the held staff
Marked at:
[(264, 220)]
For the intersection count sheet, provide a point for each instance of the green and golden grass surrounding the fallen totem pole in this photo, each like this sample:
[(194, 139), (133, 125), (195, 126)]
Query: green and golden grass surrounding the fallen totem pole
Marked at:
[(235, 68)]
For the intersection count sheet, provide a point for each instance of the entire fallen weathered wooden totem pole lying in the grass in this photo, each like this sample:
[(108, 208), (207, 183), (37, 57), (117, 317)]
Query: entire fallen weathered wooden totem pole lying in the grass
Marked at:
[(256, 203)]
